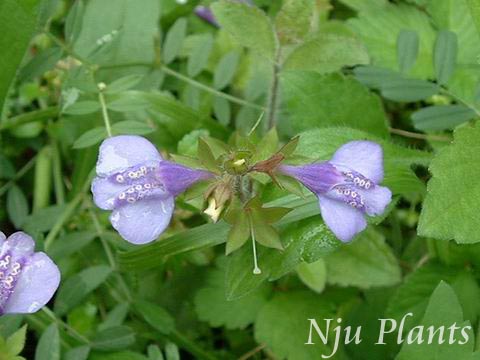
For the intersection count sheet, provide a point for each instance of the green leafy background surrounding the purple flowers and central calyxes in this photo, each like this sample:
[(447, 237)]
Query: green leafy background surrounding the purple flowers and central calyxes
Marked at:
[(403, 73)]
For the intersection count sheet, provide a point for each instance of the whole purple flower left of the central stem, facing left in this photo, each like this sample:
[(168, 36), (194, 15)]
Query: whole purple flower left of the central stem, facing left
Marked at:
[(139, 186)]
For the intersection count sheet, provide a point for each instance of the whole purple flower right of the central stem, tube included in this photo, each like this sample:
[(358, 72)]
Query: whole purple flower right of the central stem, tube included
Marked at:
[(346, 186)]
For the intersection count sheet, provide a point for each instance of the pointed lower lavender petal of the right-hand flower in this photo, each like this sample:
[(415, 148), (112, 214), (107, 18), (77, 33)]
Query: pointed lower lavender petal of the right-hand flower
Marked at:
[(344, 221)]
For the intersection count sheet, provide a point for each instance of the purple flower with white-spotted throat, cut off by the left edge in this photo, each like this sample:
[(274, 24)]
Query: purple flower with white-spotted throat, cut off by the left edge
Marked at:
[(28, 280)]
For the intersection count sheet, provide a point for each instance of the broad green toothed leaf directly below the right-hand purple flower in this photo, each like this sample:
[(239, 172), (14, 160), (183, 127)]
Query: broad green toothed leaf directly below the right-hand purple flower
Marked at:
[(366, 262)]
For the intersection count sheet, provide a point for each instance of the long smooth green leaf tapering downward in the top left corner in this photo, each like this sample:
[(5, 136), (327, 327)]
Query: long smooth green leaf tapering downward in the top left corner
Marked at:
[(18, 20)]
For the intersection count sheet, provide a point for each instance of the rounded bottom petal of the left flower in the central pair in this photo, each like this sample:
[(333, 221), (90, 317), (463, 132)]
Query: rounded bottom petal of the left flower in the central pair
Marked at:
[(143, 221)]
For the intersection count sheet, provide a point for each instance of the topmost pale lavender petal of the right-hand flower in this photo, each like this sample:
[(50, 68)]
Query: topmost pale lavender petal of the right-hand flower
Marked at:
[(365, 157)]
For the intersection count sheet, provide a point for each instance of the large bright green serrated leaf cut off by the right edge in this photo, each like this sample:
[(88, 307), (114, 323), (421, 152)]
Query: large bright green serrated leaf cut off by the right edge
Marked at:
[(453, 199)]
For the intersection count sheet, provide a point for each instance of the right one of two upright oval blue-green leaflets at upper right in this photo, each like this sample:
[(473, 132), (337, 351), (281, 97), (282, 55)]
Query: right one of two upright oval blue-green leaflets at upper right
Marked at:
[(445, 55)]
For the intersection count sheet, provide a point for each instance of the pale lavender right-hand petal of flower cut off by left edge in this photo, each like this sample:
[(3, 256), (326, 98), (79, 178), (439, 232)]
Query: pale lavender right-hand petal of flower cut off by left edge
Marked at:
[(36, 285)]
